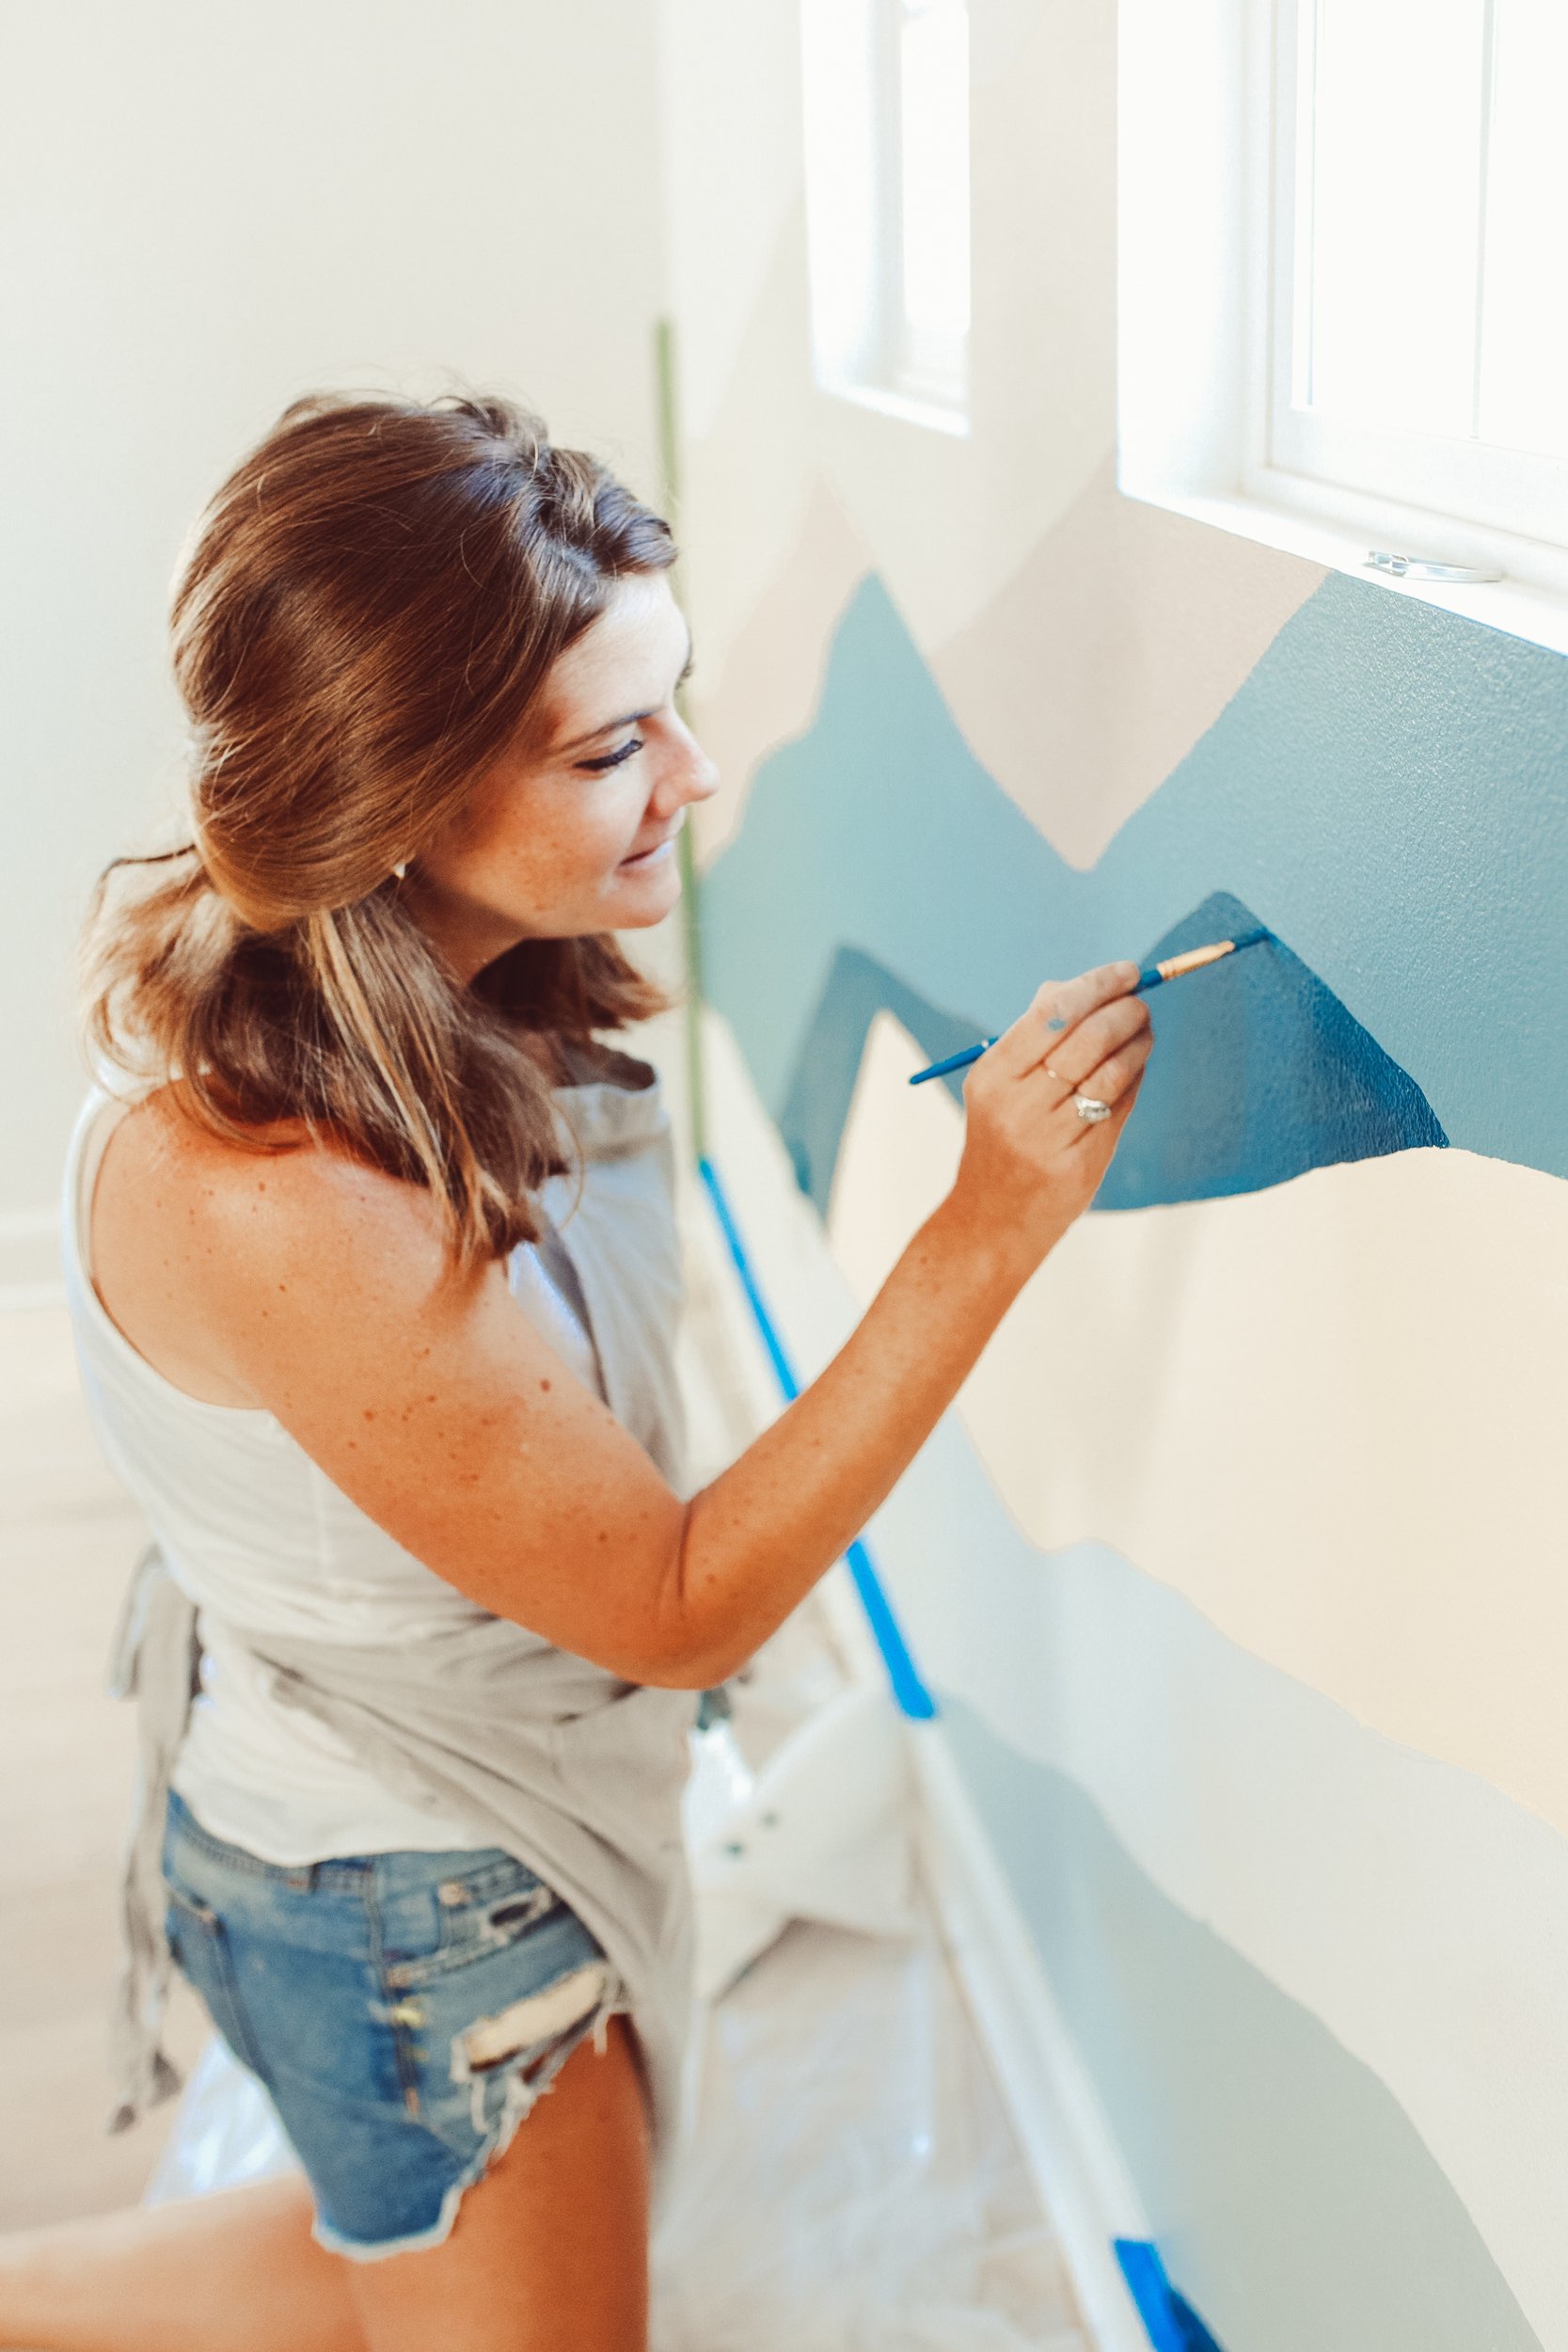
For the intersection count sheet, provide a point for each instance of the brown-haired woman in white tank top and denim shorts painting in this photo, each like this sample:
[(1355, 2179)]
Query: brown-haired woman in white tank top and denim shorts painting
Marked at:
[(373, 1269)]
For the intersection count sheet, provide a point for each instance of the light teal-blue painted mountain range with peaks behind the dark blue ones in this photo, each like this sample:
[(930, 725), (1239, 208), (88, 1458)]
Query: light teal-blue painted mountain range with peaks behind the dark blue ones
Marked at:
[(1388, 794)]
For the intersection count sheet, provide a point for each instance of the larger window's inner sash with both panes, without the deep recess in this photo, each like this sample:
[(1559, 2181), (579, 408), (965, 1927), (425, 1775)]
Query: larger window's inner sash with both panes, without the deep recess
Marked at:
[(1421, 342)]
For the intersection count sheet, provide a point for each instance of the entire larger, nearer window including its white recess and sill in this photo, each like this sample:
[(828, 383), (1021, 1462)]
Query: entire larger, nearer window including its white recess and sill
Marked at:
[(1343, 246)]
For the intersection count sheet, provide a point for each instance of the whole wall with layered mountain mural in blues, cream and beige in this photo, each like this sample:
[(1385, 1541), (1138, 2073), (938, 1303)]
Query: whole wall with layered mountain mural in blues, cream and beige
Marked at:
[(1240, 1565)]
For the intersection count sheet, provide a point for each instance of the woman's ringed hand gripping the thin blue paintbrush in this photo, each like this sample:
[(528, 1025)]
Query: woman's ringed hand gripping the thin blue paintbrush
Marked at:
[(1031, 1163)]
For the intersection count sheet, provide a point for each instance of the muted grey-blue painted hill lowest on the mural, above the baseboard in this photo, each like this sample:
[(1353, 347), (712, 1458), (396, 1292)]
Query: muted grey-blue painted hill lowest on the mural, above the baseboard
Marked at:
[(1289, 2189)]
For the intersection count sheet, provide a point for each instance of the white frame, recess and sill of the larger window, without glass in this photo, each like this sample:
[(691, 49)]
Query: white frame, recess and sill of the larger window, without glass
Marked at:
[(1209, 114)]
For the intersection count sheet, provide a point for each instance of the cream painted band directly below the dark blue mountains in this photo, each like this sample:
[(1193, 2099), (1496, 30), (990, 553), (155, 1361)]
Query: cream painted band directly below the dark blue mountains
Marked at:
[(1329, 1415)]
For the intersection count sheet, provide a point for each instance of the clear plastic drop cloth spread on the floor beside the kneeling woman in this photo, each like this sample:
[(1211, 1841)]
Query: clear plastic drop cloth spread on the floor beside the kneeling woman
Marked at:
[(850, 2181)]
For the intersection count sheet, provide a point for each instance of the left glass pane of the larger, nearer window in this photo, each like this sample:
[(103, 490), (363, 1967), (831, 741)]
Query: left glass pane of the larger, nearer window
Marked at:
[(1395, 175)]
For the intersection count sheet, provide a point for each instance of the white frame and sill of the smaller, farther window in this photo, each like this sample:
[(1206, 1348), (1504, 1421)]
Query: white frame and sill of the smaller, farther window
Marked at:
[(862, 340)]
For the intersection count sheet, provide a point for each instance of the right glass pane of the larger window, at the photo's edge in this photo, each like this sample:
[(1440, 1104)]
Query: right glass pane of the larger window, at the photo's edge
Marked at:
[(1525, 342)]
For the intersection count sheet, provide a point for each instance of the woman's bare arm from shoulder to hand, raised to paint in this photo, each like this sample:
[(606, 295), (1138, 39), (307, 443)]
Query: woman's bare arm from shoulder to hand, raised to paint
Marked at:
[(321, 1292)]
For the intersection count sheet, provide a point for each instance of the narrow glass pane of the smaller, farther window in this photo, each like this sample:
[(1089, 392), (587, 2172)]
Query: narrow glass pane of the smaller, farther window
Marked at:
[(934, 166)]
